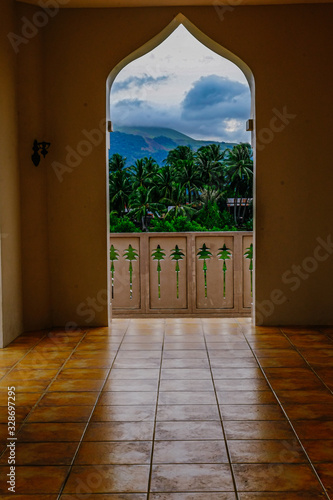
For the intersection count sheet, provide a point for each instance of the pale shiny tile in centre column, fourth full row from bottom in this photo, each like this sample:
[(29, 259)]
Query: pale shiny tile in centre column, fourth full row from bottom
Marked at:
[(187, 412)]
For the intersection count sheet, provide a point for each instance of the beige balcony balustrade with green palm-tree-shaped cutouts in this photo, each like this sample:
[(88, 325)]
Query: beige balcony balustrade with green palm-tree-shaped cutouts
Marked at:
[(183, 274)]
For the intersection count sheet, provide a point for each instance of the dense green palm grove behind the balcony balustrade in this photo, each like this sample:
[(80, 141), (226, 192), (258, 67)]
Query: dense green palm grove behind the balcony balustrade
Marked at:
[(188, 193)]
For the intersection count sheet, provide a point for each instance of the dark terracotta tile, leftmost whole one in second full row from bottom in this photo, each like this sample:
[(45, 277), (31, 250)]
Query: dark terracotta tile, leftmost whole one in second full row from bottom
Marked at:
[(43, 454)]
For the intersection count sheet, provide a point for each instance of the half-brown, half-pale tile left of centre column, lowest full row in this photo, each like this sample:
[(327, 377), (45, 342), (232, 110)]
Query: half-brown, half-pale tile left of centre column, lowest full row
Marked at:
[(109, 478)]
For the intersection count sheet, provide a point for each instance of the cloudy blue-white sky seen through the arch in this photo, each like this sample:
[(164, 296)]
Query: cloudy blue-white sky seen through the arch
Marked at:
[(183, 85)]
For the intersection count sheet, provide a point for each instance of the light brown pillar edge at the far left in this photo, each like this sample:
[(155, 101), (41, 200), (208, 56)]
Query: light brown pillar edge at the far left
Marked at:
[(10, 271)]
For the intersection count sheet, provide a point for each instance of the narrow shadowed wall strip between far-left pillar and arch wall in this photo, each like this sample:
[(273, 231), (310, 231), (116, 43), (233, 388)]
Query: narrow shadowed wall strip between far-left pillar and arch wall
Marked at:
[(32, 106)]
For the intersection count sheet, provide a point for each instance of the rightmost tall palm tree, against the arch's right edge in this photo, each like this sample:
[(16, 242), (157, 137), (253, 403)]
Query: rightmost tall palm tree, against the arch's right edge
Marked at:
[(239, 170)]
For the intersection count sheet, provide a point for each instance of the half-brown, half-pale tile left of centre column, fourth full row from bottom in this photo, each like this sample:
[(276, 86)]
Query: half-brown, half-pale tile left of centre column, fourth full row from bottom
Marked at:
[(133, 413)]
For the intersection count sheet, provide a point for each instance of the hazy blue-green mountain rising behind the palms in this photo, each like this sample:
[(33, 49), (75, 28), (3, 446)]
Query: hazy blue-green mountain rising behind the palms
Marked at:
[(137, 142)]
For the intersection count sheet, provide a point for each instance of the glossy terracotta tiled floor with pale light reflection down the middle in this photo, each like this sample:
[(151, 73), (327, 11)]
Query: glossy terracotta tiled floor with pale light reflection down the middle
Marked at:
[(171, 409)]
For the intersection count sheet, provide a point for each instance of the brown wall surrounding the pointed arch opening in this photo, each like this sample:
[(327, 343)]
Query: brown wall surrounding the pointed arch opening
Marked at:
[(288, 49)]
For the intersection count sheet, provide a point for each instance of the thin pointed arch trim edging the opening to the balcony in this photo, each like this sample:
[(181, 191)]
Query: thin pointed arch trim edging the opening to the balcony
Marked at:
[(218, 49)]
